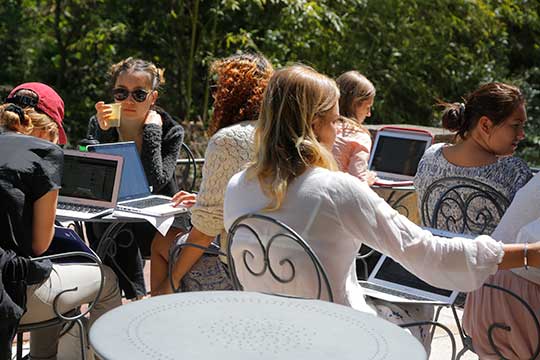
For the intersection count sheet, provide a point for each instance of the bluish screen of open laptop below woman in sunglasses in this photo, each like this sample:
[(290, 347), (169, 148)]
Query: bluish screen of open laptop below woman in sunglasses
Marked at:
[(133, 183)]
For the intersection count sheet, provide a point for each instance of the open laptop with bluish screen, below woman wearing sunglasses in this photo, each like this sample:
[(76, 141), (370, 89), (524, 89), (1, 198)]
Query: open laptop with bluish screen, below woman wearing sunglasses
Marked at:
[(135, 195)]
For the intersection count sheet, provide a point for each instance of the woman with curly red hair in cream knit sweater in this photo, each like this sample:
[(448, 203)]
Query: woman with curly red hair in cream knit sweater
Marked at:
[(241, 81)]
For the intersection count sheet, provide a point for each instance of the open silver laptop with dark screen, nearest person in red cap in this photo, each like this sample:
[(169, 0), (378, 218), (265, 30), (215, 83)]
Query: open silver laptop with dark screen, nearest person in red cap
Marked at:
[(90, 185)]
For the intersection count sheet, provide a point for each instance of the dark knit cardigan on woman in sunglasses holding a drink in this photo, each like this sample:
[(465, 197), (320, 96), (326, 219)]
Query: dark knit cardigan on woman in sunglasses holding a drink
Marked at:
[(160, 149)]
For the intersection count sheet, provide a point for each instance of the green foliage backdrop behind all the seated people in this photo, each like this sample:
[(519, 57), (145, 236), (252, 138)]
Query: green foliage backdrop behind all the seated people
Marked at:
[(415, 51)]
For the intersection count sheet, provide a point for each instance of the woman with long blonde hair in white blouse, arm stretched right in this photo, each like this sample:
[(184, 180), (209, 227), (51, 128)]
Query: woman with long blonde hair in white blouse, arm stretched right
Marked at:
[(293, 179)]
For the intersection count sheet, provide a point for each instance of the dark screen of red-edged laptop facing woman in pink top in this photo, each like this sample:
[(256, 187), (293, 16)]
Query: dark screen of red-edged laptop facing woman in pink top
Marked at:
[(397, 155)]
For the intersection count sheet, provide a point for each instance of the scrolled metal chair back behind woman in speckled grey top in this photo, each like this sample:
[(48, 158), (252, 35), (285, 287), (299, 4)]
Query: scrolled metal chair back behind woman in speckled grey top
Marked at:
[(462, 205)]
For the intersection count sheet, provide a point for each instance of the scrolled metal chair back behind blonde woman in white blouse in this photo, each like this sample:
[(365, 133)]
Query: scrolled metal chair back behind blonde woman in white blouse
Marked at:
[(262, 247)]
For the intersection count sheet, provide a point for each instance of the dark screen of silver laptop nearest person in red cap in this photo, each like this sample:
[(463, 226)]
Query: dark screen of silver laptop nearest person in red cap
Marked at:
[(88, 178)]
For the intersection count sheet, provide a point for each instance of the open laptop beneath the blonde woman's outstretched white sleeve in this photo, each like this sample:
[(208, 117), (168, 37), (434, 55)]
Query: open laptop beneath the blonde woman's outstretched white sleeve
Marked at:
[(392, 282)]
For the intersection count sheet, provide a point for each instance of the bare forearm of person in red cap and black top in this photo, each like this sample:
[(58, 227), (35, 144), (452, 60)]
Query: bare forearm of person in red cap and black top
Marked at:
[(43, 224)]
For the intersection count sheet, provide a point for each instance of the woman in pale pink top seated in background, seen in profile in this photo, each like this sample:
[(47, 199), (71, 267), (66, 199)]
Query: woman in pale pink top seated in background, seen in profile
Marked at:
[(353, 141)]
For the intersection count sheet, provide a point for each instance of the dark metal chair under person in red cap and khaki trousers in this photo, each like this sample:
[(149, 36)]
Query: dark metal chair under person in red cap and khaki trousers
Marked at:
[(70, 318)]
